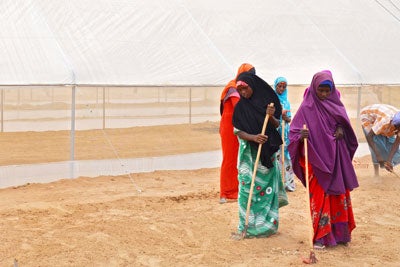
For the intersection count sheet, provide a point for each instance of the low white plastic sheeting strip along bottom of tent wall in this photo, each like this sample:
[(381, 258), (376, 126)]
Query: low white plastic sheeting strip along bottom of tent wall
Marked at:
[(16, 175)]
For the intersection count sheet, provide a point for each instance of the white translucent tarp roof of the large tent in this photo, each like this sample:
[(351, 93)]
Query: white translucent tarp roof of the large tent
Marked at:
[(197, 42)]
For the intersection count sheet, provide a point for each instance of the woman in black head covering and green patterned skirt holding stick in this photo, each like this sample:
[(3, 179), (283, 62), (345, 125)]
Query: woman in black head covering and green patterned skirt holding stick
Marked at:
[(268, 193)]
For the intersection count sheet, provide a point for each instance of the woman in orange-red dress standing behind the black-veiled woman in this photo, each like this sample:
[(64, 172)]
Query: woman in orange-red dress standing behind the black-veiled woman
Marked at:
[(229, 142)]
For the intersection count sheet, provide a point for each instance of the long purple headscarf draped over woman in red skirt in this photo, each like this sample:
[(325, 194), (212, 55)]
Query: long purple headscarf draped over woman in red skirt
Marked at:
[(330, 159)]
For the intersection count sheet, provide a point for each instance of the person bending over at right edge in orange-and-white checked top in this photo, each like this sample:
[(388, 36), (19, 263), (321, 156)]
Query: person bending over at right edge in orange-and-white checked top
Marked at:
[(381, 126)]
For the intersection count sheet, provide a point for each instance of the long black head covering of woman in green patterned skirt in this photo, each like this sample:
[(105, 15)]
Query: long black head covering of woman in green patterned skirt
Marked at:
[(249, 115)]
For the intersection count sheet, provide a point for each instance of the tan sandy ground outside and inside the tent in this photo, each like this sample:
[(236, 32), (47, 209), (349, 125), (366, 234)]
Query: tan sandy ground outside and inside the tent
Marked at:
[(176, 219)]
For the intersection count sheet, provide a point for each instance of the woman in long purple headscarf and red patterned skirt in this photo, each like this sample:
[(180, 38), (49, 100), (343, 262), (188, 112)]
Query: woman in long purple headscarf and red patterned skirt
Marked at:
[(332, 144)]
